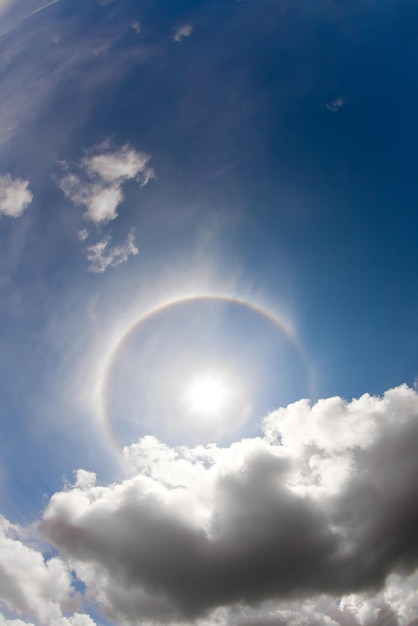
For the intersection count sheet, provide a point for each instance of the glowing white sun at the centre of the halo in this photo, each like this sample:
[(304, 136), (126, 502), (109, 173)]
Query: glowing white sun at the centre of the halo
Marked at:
[(206, 394)]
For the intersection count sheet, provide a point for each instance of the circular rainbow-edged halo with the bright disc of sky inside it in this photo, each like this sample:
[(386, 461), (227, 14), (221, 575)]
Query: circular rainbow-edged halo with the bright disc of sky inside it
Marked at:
[(200, 370)]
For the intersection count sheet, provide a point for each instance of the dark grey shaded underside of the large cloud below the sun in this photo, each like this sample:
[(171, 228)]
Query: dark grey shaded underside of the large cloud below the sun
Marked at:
[(265, 541)]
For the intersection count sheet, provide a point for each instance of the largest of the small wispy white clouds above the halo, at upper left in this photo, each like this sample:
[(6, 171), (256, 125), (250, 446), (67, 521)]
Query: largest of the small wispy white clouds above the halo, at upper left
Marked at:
[(96, 181)]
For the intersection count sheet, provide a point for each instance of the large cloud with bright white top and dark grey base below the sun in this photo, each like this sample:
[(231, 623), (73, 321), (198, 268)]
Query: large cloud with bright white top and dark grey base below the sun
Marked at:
[(313, 524)]
